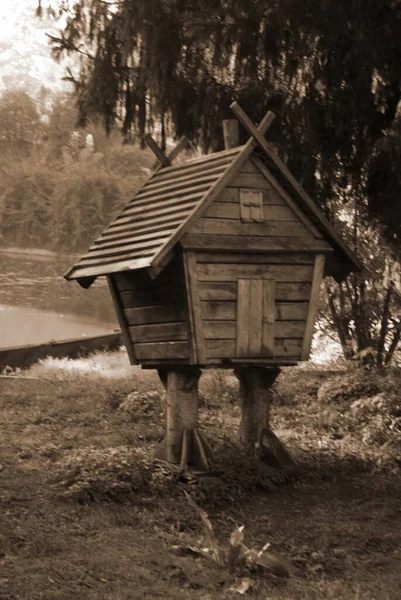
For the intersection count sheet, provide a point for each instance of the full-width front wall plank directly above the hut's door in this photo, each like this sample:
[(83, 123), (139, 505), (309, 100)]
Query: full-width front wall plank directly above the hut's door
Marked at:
[(231, 272)]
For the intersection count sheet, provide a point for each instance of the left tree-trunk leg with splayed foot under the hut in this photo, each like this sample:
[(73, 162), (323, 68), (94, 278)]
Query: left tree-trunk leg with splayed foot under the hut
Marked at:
[(183, 444)]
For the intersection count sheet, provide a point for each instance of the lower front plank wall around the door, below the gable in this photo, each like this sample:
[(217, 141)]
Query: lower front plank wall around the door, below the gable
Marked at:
[(217, 279)]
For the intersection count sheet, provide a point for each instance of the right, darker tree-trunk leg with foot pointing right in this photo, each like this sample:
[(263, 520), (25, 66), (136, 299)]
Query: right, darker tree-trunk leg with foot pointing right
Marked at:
[(254, 432)]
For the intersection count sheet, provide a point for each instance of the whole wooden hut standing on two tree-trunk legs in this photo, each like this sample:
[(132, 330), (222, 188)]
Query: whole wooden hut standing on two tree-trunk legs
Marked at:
[(217, 262)]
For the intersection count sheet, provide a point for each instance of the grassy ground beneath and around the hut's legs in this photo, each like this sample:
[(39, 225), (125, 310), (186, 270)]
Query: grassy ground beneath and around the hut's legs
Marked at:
[(87, 513)]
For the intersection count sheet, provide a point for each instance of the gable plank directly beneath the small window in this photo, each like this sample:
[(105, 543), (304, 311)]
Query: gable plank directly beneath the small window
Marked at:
[(269, 229)]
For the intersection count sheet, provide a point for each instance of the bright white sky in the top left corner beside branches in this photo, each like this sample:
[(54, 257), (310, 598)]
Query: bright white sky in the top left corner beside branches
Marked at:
[(25, 59)]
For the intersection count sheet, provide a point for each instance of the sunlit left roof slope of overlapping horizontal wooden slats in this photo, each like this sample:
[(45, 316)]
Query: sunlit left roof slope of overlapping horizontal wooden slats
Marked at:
[(135, 237)]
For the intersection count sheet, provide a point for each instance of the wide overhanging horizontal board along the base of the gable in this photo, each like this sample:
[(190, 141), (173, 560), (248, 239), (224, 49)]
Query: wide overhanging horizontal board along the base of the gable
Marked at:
[(201, 241)]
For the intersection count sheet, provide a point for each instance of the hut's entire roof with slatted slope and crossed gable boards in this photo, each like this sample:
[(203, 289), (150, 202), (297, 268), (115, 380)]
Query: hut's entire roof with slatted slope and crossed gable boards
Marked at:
[(154, 221)]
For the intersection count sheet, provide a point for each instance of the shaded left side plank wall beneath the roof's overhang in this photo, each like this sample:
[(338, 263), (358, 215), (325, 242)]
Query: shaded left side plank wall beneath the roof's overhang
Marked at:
[(156, 314)]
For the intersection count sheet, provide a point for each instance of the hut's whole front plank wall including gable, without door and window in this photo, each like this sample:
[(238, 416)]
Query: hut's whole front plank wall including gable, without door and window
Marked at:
[(282, 248)]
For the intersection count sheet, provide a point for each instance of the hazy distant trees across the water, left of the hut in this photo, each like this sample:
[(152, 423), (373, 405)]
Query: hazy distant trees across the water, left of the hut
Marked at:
[(59, 185)]
